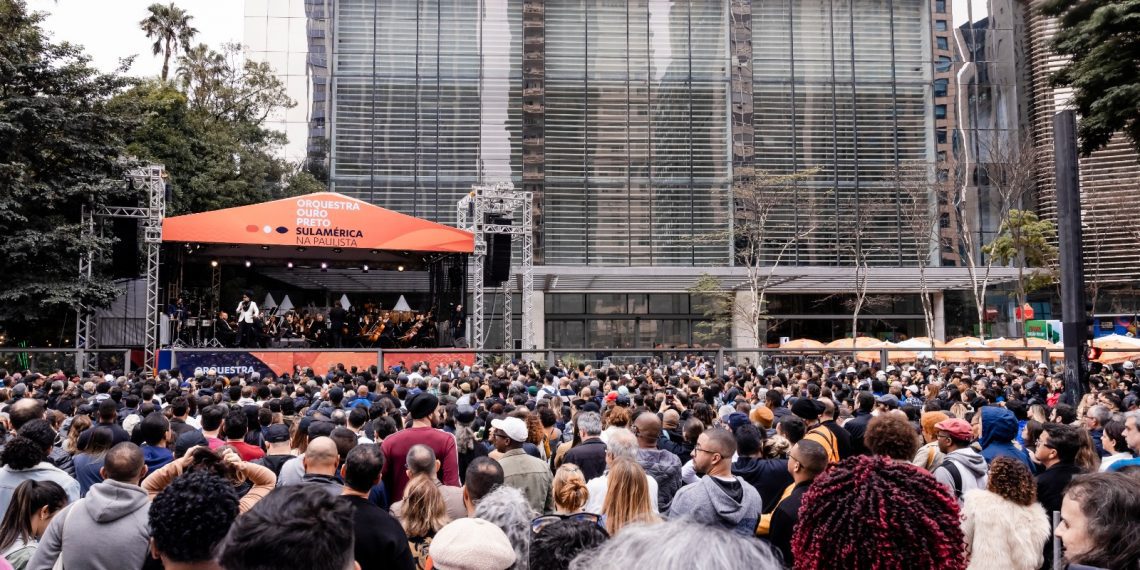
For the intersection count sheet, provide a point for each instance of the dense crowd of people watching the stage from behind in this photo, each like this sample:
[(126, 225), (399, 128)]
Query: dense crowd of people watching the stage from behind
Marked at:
[(664, 465)]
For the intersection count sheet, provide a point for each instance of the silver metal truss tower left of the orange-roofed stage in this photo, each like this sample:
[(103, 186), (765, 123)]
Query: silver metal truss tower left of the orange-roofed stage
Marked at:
[(153, 181)]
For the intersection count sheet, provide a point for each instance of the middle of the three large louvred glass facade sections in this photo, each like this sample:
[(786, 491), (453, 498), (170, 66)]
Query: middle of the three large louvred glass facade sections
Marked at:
[(638, 159)]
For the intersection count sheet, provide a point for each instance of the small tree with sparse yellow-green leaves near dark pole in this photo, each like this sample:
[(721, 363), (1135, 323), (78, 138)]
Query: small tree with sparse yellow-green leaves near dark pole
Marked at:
[(1027, 241)]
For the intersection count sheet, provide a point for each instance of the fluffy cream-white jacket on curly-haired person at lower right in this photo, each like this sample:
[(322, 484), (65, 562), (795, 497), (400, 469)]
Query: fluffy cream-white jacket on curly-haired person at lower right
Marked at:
[(1003, 535)]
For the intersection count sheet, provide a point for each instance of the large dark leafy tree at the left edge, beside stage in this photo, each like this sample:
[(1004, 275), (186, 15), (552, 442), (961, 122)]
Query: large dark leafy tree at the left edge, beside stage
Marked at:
[(61, 151)]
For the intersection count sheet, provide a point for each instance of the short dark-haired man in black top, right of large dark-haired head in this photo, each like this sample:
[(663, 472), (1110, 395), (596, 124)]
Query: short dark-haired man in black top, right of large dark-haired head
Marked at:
[(380, 541)]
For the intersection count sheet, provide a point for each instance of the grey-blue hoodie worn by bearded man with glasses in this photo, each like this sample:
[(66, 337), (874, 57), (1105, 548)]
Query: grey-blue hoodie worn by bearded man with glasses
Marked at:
[(709, 502)]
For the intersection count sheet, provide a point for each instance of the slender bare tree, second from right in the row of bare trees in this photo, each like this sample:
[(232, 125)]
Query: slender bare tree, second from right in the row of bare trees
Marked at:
[(919, 189)]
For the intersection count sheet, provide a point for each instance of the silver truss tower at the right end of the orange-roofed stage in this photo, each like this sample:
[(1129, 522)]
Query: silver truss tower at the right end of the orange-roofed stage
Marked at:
[(471, 215)]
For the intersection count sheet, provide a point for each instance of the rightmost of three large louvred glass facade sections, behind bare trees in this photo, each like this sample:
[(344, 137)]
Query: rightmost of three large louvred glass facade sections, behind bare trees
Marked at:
[(842, 86)]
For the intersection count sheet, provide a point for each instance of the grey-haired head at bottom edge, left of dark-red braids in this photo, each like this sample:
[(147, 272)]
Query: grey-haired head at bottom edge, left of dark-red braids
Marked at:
[(678, 545)]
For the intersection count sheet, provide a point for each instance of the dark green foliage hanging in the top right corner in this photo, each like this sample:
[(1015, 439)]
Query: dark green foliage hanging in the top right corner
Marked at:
[(1101, 40)]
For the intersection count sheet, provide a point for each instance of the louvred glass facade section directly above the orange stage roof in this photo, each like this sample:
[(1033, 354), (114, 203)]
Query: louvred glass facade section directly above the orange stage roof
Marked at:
[(428, 101)]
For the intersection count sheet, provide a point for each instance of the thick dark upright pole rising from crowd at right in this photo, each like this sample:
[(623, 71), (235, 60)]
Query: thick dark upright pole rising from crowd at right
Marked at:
[(1074, 321)]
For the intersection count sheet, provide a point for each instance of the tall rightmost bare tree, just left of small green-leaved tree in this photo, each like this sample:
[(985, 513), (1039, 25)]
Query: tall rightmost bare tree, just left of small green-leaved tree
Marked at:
[(1007, 168)]
